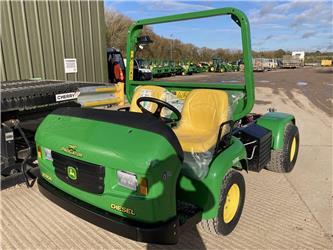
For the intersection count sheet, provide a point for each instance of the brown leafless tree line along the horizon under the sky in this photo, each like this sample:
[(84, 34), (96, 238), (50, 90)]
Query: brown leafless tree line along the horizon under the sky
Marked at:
[(163, 48)]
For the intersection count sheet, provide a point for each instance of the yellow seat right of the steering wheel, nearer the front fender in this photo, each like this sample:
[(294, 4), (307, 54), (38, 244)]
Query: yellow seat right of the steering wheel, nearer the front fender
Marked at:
[(203, 112)]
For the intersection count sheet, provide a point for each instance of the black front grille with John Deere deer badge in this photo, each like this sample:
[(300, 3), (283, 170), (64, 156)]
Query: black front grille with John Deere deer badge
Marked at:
[(88, 177)]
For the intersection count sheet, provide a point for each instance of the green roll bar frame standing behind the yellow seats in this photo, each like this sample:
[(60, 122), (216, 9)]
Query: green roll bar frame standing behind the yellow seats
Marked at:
[(240, 18)]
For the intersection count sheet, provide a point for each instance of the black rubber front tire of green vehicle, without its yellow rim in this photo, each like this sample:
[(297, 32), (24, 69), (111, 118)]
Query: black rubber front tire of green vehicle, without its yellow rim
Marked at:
[(218, 225)]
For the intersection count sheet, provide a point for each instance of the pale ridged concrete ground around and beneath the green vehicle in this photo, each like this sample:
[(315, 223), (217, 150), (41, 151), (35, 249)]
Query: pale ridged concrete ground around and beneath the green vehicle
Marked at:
[(282, 211)]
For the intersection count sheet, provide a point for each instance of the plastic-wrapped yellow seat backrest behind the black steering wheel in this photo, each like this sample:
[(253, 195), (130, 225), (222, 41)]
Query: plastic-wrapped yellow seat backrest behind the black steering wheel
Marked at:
[(150, 91)]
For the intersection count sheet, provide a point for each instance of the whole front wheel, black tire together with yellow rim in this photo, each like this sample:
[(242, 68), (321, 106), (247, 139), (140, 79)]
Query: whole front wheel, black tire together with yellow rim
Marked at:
[(230, 210)]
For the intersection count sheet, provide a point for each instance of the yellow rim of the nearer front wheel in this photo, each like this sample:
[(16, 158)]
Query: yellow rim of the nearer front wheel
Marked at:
[(231, 203)]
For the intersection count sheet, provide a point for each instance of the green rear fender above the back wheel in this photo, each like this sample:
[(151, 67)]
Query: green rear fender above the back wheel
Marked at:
[(276, 123)]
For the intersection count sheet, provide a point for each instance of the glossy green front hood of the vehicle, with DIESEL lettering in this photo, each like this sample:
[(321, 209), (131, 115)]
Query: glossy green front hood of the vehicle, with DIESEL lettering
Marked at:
[(113, 147)]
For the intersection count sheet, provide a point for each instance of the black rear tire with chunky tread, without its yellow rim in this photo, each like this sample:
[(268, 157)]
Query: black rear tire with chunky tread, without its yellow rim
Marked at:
[(281, 161)]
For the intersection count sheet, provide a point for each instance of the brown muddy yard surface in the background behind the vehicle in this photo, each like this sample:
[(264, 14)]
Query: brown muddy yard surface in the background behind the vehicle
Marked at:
[(315, 83)]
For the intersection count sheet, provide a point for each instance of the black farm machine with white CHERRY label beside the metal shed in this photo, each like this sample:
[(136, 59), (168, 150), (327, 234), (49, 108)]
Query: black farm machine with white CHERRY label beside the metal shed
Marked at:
[(24, 104)]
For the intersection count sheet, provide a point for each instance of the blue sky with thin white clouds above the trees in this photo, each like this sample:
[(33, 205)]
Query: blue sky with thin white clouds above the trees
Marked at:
[(290, 25)]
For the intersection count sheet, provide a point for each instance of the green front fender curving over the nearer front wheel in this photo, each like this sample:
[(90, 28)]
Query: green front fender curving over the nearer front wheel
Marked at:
[(206, 193)]
